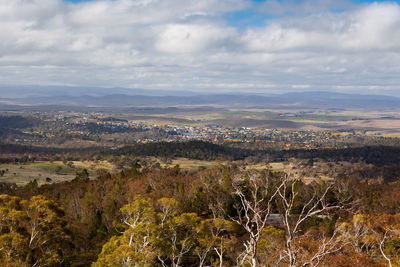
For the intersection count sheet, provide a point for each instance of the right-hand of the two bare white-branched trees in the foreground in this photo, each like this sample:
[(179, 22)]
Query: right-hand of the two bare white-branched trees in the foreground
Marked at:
[(296, 214)]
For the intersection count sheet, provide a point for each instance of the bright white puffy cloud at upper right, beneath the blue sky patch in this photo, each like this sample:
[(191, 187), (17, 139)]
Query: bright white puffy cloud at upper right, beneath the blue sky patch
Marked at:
[(375, 27)]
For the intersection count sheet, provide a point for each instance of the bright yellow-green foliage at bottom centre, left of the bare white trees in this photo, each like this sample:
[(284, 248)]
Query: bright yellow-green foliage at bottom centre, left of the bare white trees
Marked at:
[(151, 237)]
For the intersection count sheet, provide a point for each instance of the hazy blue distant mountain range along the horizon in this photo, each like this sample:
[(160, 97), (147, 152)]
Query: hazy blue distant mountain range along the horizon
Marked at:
[(126, 98)]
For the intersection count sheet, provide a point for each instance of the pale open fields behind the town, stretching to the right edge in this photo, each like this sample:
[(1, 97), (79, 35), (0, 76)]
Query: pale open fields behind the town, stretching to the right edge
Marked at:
[(277, 118)]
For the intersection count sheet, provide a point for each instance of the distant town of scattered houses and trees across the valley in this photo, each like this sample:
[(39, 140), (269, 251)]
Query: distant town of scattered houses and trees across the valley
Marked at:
[(113, 130)]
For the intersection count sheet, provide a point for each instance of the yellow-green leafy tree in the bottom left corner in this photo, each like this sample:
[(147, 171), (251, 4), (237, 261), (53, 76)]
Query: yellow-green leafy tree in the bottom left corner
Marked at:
[(33, 232)]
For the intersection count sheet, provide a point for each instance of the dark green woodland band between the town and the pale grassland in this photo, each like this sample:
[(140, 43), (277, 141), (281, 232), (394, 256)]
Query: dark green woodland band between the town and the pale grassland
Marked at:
[(379, 155)]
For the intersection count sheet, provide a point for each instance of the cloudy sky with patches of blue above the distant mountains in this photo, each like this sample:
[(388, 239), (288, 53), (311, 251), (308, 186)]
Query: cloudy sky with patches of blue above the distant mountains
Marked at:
[(203, 45)]
